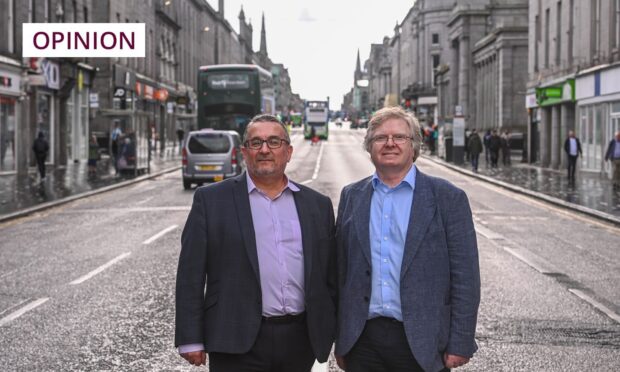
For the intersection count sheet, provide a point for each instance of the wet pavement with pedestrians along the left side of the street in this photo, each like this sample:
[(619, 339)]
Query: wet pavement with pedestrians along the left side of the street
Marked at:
[(26, 194)]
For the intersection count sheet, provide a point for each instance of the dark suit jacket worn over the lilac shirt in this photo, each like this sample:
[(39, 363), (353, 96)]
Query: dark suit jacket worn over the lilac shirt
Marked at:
[(218, 244)]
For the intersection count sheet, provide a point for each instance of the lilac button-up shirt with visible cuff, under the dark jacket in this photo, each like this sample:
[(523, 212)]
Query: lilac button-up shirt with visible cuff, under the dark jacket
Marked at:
[(280, 253)]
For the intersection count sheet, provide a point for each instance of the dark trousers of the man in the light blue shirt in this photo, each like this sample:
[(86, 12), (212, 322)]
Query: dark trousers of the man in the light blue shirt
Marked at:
[(382, 347)]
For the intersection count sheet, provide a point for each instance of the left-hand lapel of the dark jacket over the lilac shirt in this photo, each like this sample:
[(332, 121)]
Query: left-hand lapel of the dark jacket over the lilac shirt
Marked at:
[(244, 213)]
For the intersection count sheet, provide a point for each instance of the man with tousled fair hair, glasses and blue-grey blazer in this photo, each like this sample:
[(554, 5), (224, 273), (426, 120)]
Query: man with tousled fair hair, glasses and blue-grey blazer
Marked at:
[(408, 275)]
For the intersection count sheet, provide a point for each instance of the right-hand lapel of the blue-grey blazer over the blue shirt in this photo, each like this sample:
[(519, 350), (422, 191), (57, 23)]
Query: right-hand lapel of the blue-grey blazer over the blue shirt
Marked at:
[(422, 212)]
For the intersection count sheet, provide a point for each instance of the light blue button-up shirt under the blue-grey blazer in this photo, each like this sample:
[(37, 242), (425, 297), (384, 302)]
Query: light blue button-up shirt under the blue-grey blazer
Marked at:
[(390, 209)]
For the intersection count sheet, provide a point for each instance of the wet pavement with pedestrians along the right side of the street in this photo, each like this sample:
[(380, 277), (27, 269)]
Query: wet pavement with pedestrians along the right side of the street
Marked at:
[(591, 193)]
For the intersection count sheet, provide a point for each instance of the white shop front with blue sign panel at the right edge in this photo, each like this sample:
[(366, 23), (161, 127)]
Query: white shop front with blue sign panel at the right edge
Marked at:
[(598, 103)]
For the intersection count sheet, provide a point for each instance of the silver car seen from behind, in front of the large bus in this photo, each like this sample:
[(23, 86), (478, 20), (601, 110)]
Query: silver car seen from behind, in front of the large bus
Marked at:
[(210, 156)]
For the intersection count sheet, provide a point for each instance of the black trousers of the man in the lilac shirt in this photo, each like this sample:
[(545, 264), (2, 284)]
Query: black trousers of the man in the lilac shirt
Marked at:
[(279, 347)]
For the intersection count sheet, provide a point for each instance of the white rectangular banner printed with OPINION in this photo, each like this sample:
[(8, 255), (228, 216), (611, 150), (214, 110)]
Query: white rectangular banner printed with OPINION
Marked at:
[(84, 40)]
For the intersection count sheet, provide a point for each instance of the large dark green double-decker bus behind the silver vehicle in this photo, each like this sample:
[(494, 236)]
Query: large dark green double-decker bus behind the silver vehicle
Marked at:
[(230, 95)]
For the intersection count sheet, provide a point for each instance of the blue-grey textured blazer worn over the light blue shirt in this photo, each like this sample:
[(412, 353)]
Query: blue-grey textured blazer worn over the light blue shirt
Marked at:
[(439, 281)]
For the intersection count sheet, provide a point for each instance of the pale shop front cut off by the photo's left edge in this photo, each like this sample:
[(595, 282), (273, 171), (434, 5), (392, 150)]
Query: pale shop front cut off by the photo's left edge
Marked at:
[(9, 93)]
